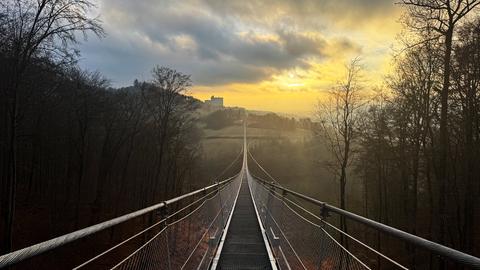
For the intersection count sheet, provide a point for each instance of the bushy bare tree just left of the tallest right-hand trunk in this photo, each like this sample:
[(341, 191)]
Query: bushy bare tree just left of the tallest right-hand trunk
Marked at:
[(413, 87)]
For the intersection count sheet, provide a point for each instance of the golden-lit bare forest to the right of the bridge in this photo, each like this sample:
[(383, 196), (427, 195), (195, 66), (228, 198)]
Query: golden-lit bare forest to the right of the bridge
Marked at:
[(405, 154)]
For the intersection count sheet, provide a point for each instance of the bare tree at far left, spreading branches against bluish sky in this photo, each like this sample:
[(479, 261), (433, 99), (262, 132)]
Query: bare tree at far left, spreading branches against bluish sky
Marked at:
[(34, 29)]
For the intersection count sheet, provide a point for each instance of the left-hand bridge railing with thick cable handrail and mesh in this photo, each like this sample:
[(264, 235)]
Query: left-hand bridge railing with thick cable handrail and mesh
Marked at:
[(185, 235)]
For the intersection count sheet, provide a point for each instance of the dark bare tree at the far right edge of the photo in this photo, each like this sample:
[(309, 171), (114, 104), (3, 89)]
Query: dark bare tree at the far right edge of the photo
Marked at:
[(465, 87)]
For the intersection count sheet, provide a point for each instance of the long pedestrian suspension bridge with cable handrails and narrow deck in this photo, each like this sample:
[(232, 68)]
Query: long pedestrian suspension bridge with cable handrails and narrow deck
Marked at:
[(243, 222)]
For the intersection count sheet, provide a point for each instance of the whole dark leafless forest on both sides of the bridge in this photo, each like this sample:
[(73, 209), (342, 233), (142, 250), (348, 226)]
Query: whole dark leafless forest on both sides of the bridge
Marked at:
[(74, 150)]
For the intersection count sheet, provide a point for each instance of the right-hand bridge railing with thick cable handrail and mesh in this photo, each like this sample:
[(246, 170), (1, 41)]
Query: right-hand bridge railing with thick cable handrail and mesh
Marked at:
[(287, 219)]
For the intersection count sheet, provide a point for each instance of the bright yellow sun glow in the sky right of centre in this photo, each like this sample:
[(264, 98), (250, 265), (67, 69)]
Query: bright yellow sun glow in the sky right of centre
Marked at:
[(298, 88)]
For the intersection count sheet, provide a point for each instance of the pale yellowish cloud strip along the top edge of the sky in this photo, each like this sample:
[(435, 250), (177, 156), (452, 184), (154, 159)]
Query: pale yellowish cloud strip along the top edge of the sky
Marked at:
[(313, 13)]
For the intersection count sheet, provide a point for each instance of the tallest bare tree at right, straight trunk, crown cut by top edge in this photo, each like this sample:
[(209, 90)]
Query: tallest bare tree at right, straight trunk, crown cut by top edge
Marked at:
[(441, 16)]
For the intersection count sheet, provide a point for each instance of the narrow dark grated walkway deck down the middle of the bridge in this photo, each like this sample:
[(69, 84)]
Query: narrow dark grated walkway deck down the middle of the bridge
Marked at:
[(244, 246)]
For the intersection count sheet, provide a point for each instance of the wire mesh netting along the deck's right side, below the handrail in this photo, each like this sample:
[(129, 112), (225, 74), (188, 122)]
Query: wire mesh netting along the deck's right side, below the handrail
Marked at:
[(297, 242)]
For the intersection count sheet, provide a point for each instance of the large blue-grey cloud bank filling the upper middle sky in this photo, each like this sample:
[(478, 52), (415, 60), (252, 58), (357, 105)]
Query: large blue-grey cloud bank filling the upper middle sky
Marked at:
[(221, 42)]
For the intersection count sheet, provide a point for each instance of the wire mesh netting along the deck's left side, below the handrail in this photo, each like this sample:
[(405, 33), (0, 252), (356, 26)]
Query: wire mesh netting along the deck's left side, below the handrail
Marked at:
[(187, 241)]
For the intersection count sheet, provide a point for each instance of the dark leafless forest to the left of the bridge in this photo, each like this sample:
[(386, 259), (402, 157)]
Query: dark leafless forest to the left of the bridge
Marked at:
[(73, 150)]
